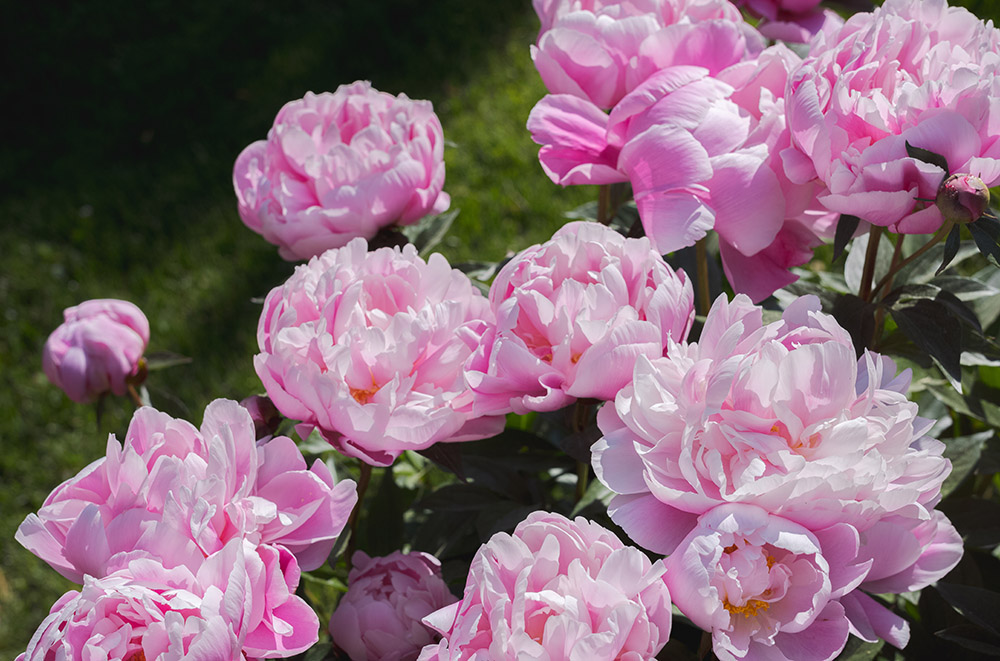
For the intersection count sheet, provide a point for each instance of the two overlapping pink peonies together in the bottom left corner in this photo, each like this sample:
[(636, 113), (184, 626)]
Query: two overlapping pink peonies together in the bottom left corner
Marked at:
[(187, 541)]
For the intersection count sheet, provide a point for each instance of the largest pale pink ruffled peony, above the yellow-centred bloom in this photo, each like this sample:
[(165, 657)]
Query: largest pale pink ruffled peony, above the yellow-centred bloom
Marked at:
[(782, 416)]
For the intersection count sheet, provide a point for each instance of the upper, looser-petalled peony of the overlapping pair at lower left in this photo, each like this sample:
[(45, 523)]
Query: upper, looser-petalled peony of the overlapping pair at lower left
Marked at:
[(181, 494)]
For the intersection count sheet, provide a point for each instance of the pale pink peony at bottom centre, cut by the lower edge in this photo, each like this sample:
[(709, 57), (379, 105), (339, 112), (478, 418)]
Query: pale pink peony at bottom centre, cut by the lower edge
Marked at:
[(556, 590)]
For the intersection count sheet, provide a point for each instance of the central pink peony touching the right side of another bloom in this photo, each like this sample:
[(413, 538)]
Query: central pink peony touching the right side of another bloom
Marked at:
[(573, 314)]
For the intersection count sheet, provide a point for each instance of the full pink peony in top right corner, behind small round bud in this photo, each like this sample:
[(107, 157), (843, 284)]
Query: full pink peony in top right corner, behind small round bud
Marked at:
[(917, 72)]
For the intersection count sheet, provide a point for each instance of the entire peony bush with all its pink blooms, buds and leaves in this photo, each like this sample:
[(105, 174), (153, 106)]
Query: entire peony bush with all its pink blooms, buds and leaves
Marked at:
[(594, 446)]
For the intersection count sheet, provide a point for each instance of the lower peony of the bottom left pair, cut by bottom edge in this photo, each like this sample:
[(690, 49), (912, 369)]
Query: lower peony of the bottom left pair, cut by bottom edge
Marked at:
[(241, 601)]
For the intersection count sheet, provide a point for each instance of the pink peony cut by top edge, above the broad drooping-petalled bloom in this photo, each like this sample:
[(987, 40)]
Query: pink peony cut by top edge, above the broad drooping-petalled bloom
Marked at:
[(600, 51)]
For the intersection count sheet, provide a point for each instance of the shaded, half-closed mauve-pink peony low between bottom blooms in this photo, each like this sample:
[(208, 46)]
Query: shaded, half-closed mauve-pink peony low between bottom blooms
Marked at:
[(379, 619)]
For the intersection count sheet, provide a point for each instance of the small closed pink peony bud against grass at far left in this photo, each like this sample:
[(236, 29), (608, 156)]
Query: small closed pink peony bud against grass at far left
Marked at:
[(96, 349)]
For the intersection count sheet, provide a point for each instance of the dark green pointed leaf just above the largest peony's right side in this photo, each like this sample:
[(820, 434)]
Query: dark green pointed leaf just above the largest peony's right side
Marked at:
[(934, 329)]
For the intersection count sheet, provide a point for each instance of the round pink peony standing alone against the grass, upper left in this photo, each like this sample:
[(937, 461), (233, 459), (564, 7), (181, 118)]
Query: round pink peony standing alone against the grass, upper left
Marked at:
[(339, 166)]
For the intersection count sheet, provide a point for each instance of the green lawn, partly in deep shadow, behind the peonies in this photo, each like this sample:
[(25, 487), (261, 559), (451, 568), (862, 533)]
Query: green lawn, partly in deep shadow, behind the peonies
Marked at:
[(122, 123)]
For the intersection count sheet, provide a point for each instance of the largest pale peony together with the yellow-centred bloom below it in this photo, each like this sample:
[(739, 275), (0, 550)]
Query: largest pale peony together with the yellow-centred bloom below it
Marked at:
[(767, 461)]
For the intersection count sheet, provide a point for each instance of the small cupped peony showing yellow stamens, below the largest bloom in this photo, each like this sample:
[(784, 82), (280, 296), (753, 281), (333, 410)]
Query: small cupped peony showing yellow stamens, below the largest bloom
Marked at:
[(762, 586)]
